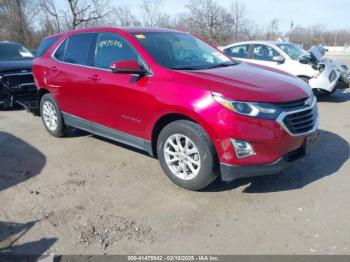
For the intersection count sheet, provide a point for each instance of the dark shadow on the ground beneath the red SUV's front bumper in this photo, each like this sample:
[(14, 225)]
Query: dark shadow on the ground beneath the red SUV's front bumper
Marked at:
[(329, 156)]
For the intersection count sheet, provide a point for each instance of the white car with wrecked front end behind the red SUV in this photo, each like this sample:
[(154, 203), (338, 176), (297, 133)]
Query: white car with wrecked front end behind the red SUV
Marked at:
[(322, 76)]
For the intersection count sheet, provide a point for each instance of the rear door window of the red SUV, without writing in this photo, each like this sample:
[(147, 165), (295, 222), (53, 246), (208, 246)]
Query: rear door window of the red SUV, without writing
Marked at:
[(80, 49)]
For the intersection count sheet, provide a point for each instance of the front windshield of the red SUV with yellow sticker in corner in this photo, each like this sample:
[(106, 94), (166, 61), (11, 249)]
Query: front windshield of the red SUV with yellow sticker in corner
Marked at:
[(181, 51)]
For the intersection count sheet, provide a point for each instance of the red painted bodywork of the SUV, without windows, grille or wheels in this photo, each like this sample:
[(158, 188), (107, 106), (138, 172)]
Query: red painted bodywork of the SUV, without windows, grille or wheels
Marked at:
[(134, 104)]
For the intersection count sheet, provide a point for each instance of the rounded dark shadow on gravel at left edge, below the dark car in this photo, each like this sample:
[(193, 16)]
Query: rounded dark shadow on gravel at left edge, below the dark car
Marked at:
[(19, 161)]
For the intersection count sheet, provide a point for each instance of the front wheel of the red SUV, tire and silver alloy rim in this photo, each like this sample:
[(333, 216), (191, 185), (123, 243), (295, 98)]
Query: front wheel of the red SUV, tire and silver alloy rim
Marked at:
[(204, 162)]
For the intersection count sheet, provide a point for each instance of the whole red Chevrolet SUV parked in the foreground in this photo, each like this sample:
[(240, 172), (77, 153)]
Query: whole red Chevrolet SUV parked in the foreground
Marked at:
[(178, 98)]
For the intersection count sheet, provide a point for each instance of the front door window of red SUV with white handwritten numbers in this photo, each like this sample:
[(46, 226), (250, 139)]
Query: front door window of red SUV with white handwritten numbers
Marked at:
[(112, 48)]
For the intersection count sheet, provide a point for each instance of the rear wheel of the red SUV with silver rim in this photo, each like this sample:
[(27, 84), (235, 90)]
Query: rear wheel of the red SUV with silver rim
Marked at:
[(51, 116)]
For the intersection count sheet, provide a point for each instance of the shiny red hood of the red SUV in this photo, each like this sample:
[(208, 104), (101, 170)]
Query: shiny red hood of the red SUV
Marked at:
[(248, 82)]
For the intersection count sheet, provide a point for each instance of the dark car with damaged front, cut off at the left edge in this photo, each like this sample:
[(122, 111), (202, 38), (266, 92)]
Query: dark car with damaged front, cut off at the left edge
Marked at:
[(16, 79)]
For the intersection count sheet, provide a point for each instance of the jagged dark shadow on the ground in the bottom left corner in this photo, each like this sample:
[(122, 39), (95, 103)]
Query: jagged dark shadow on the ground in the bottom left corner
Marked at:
[(10, 233)]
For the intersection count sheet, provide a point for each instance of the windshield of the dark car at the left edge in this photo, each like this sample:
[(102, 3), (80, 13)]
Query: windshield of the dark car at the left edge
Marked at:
[(12, 51)]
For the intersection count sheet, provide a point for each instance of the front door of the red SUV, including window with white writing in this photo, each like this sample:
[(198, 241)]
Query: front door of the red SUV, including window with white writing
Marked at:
[(120, 100)]
